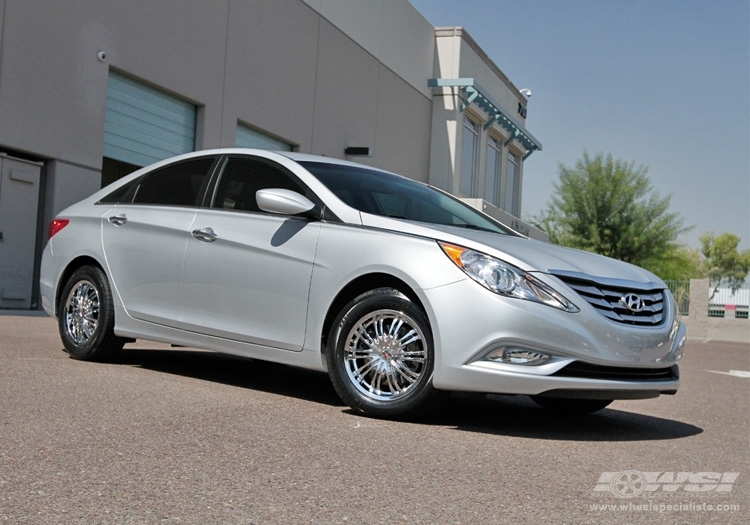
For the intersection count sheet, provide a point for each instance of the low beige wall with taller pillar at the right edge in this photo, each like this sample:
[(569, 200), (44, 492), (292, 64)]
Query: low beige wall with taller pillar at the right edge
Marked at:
[(701, 326)]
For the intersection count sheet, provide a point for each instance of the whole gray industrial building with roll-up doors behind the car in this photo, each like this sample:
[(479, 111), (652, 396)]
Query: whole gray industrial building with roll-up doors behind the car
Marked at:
[(92, 89)]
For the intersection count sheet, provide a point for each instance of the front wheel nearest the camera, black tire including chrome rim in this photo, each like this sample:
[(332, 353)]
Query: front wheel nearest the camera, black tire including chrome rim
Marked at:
[(380, 356)]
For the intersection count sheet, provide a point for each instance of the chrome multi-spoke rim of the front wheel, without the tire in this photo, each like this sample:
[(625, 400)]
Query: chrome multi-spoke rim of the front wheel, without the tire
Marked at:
[(385, 355)]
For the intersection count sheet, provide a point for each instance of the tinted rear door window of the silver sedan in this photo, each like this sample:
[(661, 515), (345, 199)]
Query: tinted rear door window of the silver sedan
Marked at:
[(176, 185)]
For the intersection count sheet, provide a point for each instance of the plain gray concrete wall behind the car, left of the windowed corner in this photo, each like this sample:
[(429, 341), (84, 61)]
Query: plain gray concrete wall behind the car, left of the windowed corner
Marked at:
[(279, 66)]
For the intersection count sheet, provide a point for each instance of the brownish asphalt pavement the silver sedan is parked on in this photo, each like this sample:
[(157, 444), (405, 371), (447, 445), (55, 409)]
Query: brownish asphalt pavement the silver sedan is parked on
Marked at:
[(169, 435)]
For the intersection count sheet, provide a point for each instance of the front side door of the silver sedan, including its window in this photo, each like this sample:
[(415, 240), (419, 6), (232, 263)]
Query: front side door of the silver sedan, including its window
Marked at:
[(247, 272)]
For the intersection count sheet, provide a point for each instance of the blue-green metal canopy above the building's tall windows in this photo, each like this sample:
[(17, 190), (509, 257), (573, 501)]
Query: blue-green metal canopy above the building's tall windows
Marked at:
[(477, 95)]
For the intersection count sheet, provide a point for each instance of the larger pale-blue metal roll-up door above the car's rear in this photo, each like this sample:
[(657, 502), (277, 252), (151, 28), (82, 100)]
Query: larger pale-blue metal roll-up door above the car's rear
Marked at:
[(143, 124)]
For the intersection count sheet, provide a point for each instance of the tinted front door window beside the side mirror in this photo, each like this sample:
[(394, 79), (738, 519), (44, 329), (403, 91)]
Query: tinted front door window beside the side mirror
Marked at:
[(243, 177)]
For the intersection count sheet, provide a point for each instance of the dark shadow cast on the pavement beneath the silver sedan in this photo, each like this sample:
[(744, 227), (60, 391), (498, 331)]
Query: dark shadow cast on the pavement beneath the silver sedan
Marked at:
[(492, 414)]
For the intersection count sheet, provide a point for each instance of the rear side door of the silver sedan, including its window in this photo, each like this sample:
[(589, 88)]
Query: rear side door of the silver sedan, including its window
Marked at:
[(144, 240)]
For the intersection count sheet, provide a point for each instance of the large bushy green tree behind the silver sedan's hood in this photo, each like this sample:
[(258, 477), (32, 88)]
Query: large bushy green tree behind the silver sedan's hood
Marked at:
[(609, 206)]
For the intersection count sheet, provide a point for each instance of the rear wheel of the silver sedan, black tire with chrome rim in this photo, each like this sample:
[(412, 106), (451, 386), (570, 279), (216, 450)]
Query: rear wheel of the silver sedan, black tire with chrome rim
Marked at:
[(86, 317)]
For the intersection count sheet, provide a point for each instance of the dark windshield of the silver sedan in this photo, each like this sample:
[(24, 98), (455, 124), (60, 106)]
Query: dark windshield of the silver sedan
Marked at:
[(389, 195)]
